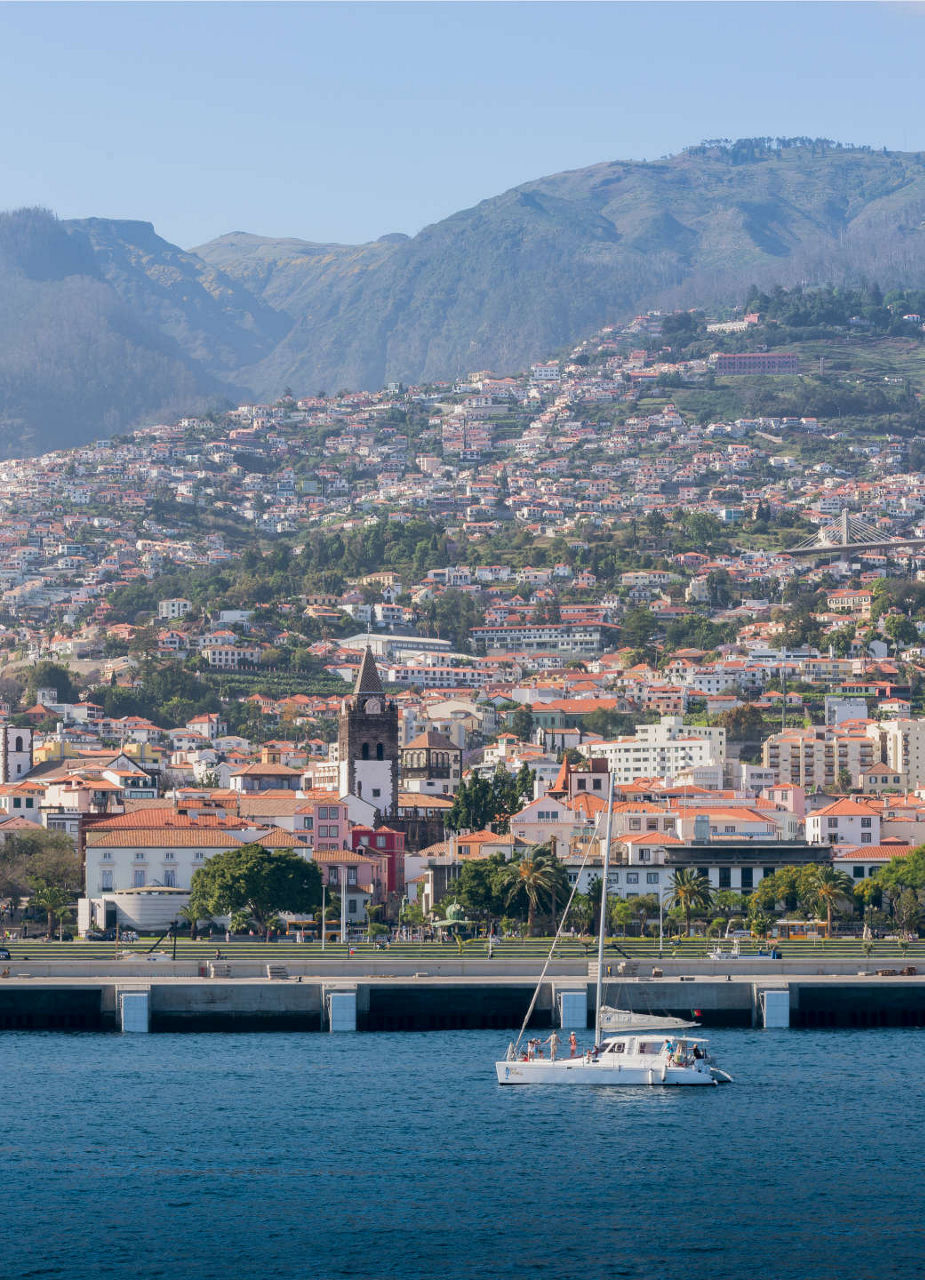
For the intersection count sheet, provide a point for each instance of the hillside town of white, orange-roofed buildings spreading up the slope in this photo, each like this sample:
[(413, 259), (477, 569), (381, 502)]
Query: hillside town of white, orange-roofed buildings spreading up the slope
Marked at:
[(333, 624)]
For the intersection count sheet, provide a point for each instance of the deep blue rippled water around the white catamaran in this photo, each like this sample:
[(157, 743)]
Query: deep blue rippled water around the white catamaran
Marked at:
[(399, 1156)]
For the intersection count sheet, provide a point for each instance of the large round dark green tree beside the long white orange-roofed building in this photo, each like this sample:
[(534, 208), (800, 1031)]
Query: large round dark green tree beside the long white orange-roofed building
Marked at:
[(258, 881)]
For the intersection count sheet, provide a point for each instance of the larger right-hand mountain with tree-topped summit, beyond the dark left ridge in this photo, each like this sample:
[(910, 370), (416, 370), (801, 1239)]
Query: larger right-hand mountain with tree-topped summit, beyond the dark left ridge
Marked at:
[(526, 273)]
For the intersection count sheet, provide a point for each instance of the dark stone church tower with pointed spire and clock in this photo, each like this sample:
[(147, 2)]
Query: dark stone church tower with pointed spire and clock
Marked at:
[(368, 743)]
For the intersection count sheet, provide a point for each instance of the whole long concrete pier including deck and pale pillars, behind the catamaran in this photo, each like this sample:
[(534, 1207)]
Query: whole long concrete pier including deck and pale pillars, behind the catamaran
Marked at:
[(450, 995)]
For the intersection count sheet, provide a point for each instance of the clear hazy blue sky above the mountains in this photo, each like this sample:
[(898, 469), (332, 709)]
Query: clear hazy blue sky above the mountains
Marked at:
[(349, 121)]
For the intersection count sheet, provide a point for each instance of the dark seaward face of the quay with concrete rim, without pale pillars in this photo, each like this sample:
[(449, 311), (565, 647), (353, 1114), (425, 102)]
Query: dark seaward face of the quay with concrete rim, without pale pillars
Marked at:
[(391, 1004)]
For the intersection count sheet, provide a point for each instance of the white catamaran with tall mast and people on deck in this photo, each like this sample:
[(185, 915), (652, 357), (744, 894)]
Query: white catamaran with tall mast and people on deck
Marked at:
[(643, 1052)]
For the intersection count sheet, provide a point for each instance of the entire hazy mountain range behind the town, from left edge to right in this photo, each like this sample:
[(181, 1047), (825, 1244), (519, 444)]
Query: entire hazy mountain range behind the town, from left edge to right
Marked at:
[(104, 324)]
